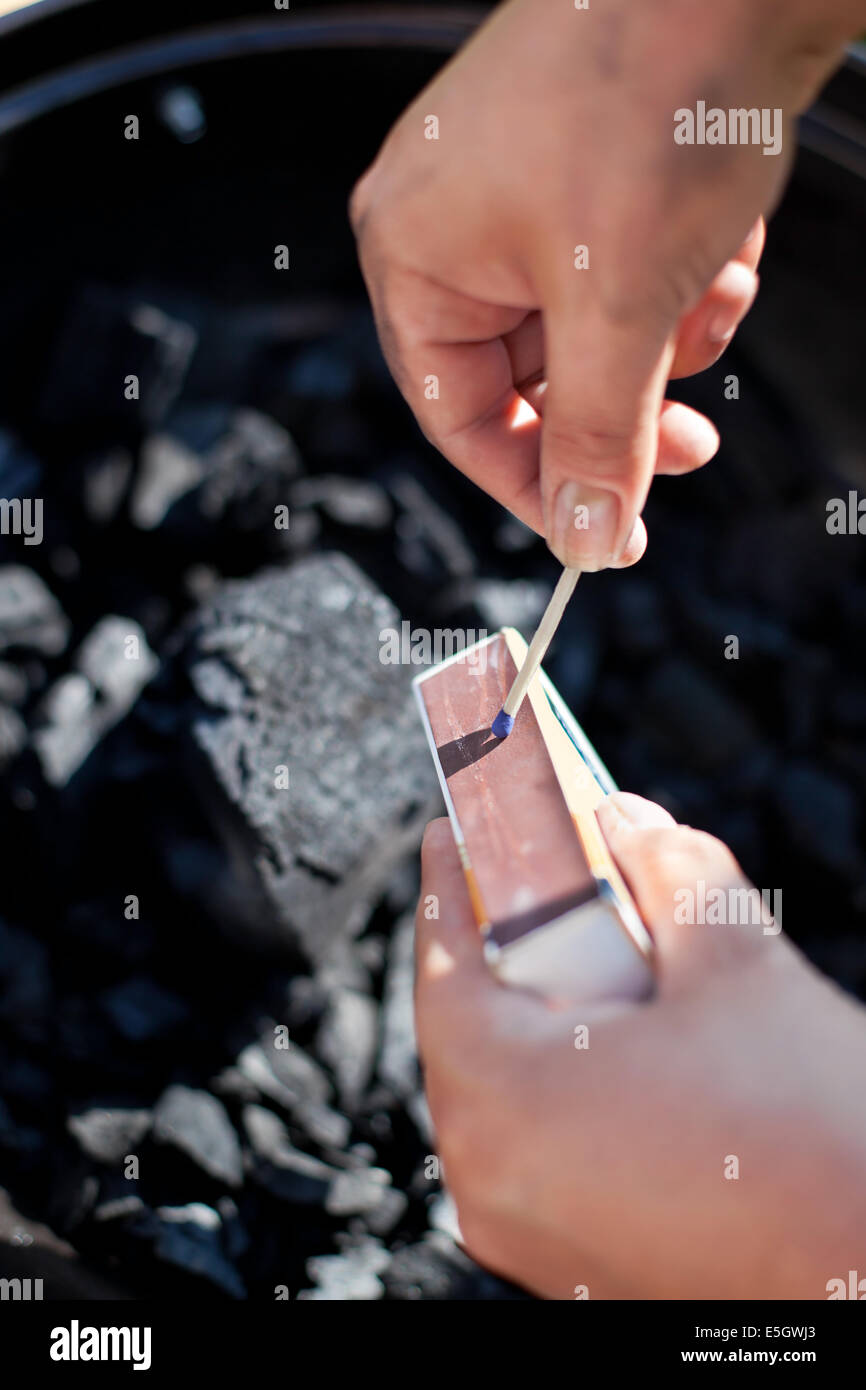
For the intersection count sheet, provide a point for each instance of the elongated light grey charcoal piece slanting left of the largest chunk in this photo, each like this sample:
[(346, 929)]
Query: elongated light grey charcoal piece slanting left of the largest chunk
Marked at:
[(112, 668)]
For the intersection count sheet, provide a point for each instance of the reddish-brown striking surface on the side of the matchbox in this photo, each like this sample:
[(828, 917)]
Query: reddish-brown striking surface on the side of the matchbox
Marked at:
[(522, 843)]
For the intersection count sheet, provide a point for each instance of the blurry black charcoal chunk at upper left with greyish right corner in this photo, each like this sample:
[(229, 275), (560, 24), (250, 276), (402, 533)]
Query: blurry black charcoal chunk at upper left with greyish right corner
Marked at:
[(126, 338)]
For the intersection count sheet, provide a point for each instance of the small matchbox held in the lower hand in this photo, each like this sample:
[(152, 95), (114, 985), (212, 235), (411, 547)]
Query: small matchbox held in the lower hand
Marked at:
[(555, 913)]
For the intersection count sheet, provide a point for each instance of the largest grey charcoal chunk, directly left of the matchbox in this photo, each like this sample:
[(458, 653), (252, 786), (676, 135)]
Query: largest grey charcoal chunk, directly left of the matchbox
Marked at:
[(287, 669)]
